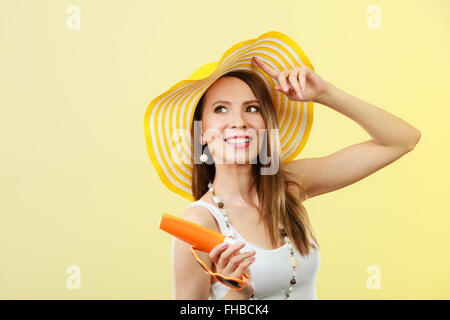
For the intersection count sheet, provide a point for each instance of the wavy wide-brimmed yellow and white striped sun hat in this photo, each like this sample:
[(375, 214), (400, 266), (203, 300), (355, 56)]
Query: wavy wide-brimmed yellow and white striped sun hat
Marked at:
[(168, 118)]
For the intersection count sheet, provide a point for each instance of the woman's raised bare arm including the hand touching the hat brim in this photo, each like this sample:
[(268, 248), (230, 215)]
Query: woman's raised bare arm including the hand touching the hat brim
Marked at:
[(391, 136)]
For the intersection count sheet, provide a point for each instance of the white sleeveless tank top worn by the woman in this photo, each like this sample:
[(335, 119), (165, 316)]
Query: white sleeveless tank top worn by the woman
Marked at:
[(272, 270)]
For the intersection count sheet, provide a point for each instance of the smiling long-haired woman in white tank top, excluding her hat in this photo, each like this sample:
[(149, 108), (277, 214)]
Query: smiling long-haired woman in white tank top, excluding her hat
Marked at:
[(264, 212)]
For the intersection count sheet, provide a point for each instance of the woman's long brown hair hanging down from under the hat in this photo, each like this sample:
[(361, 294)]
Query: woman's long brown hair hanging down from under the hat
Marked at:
[(277, 205)]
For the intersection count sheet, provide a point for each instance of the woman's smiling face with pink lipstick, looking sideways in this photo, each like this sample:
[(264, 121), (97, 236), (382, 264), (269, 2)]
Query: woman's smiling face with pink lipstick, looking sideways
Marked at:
[(231, 109)]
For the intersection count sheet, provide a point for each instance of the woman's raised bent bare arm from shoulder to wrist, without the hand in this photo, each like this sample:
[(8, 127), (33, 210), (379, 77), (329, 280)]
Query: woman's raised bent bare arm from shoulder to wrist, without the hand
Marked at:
[(391, 136)]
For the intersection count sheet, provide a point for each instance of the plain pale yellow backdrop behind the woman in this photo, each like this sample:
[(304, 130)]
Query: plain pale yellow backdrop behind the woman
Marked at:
[(77, 185)]
